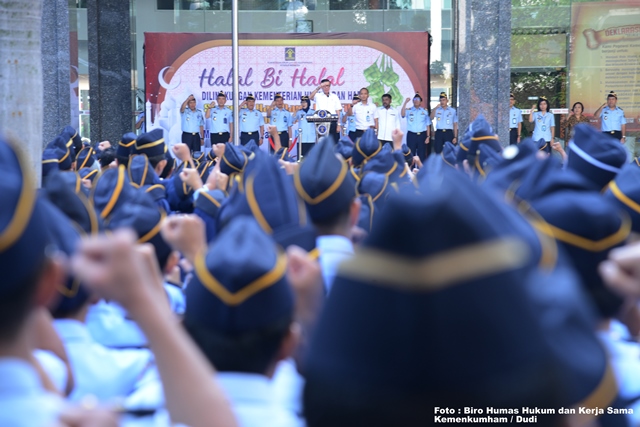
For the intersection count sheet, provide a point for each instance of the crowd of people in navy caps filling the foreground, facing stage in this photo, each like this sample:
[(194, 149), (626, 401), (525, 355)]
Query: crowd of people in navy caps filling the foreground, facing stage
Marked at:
[(152, 286)]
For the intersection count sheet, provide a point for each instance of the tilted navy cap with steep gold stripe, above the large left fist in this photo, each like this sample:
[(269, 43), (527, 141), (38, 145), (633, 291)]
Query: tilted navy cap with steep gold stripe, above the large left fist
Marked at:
[(110, 191)]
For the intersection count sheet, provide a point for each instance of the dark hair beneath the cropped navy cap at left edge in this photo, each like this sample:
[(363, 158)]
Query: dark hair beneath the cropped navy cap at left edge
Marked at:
[(15, 306)]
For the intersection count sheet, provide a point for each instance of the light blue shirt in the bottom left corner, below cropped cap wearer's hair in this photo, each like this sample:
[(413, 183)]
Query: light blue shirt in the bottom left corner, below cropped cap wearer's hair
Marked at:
[(23, 401)]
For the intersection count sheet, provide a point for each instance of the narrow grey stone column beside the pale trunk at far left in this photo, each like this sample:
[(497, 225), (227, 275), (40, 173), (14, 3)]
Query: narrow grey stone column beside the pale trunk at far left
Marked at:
[(55, 68)]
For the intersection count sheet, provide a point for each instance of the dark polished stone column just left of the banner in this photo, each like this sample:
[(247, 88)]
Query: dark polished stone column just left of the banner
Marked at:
[(109, 34)]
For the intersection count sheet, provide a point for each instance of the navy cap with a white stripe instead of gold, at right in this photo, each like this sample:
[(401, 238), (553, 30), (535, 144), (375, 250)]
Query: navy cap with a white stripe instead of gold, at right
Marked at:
[(596, 156)]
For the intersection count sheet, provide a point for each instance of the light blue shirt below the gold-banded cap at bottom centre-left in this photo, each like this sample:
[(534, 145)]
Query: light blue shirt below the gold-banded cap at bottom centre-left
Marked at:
[(253, 402)]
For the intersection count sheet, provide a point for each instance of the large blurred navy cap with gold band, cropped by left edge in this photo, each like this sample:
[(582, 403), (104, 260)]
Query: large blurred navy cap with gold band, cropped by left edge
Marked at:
[(23, 236)]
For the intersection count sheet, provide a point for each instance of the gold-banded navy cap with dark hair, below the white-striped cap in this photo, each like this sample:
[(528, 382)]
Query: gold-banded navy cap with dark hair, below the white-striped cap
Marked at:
[(587, 226)]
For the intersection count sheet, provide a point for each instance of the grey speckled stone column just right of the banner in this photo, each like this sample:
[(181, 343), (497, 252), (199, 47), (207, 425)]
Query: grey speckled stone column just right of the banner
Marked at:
[(484, 63)]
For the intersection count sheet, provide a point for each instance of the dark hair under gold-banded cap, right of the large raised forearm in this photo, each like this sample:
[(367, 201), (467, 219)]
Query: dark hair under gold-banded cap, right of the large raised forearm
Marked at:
[(251, 352)]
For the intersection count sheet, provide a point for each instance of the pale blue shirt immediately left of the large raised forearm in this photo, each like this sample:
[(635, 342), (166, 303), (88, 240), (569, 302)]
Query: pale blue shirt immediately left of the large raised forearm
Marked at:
[(106, 373)]
